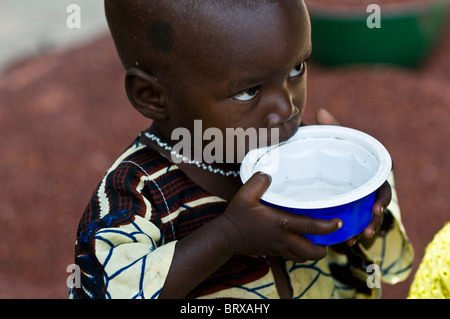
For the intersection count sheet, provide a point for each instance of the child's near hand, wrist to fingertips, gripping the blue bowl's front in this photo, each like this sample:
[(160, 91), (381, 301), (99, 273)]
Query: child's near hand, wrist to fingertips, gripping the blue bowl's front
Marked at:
[(252, 228)]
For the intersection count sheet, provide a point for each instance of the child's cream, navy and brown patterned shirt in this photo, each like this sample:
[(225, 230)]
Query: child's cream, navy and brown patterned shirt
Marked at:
[(145, 204)]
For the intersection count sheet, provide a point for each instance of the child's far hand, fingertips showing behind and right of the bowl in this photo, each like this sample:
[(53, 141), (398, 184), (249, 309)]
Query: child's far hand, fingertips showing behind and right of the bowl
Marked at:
[(382, 196)]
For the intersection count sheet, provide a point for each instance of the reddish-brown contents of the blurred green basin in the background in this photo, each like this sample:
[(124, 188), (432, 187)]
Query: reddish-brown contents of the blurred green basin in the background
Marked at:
[(392, 10)]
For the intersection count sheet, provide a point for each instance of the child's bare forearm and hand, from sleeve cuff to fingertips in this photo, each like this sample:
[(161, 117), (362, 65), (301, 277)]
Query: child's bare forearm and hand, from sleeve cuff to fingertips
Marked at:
[(247, 227)]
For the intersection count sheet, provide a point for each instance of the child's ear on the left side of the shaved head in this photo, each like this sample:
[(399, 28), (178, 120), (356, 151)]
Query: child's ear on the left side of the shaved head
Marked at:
[(145, 93)]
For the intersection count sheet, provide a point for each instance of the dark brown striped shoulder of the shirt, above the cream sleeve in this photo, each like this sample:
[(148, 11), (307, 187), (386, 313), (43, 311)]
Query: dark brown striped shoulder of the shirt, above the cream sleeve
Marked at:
[(140, 181)]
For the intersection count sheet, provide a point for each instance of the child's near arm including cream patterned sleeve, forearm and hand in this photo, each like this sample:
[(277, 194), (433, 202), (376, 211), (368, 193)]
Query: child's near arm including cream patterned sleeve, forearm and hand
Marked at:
[(122, 254)]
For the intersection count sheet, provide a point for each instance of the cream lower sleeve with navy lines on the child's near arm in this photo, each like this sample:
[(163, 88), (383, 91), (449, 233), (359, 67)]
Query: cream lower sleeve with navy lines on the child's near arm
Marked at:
[(125, 261)]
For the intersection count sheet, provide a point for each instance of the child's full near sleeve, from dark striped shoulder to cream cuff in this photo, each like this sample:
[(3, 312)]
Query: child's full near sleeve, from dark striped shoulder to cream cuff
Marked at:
[(121, 253)]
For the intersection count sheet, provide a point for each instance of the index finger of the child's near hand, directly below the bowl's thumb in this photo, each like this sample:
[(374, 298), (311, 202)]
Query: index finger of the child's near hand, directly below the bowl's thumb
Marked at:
[(310, 226)]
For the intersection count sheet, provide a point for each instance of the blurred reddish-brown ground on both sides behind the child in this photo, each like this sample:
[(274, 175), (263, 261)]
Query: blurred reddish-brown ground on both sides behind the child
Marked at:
[(64, 118)]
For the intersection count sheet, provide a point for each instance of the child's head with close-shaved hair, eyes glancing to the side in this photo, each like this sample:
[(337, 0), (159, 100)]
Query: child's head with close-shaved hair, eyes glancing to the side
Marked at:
[(230, 63)]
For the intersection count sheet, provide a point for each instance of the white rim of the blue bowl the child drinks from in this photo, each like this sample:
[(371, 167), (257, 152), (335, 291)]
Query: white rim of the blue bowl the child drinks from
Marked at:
[(323, 131)]
